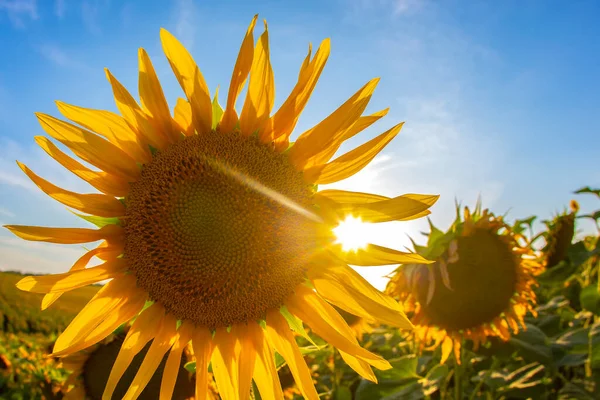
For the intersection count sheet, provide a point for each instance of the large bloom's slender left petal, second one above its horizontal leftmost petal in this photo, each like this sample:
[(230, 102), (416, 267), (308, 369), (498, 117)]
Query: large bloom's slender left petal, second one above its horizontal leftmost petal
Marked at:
[(103, 181)]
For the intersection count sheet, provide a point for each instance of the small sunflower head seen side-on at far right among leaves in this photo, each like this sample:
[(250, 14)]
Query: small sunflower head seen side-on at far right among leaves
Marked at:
[(559, 235)]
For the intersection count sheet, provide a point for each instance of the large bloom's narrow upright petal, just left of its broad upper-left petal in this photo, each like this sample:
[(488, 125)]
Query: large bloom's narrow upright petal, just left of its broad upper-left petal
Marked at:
[(153, 99)]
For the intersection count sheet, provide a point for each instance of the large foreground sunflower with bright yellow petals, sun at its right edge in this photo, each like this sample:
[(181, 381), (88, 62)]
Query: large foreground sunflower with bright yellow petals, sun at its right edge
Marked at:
[(211, 227)]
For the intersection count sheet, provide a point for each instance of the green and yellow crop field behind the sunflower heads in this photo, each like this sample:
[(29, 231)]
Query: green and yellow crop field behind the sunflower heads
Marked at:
[(556, 357)]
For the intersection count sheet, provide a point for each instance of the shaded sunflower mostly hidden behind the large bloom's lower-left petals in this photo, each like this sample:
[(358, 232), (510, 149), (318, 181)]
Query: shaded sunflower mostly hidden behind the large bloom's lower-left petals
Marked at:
[(89, 370)]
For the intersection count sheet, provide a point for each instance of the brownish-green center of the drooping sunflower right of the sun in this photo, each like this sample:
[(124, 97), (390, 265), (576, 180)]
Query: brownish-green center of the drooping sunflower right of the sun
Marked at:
[(484, 279)]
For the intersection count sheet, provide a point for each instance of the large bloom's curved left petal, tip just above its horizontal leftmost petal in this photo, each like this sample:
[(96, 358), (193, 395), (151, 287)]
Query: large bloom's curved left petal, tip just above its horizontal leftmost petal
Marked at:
[(96, 204)]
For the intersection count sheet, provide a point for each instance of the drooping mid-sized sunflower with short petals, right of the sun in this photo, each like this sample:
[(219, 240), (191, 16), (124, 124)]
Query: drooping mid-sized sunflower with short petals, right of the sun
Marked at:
[(480, 285)]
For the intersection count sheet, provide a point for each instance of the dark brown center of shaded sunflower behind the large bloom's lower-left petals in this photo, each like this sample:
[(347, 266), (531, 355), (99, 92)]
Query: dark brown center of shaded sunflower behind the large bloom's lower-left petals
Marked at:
[(97, 367)]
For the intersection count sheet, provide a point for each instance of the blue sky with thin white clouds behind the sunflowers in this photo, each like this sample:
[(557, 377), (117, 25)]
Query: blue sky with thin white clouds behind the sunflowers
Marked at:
[(500, 98)]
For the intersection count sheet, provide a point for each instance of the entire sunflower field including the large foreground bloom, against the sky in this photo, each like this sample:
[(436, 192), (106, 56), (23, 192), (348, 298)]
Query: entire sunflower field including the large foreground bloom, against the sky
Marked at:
[(227, 271)]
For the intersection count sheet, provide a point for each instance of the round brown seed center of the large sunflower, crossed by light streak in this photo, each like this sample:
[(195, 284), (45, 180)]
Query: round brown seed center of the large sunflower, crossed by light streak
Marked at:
[(219, 229)]
